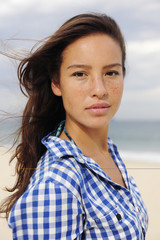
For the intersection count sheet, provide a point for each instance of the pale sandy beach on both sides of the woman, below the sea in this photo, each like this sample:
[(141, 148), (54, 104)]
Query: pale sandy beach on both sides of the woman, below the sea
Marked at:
[(147, 176)]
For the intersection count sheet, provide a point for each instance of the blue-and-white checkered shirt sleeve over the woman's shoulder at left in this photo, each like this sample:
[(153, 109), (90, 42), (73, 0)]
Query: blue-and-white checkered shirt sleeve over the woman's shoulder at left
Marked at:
[(48, 211)]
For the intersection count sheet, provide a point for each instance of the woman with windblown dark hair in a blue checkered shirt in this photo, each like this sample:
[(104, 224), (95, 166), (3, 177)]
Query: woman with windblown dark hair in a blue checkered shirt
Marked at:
[(73, 184)]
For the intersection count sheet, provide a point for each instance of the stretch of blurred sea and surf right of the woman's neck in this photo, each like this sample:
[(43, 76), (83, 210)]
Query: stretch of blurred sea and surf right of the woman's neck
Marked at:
[(137, 139)]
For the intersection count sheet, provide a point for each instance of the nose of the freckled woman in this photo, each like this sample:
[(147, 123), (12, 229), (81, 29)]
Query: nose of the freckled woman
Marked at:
[(98, 87)]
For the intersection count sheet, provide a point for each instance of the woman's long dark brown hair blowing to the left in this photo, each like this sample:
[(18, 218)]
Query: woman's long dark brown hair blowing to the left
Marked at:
[(44, 110)]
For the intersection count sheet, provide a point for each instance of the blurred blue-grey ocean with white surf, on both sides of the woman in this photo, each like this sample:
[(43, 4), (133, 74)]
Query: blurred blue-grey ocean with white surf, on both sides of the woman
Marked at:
[(136, 140)]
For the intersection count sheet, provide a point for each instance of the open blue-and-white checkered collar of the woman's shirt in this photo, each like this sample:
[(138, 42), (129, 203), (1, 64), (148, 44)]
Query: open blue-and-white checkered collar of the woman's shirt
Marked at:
[(60, 148)]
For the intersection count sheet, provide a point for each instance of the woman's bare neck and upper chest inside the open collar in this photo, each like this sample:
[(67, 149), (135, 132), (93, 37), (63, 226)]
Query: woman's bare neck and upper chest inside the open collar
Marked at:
[(93, 143)]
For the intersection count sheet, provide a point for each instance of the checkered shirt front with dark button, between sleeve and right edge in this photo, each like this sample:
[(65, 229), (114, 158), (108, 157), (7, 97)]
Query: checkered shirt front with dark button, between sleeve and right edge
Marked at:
[(109, 210)]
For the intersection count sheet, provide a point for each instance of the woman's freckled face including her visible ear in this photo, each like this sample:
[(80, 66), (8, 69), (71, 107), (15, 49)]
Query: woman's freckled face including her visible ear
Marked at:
[(91, 81)]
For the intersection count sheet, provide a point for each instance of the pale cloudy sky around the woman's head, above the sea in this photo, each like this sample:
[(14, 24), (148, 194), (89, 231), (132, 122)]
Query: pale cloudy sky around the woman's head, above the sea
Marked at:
[(22, 22)]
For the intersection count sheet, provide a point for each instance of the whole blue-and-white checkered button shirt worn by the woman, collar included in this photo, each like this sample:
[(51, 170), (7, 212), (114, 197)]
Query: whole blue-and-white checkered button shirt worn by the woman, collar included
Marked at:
[(71, 197)]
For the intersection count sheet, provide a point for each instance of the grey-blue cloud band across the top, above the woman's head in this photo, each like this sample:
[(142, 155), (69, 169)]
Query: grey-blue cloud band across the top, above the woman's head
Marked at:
[(135, 17)]
